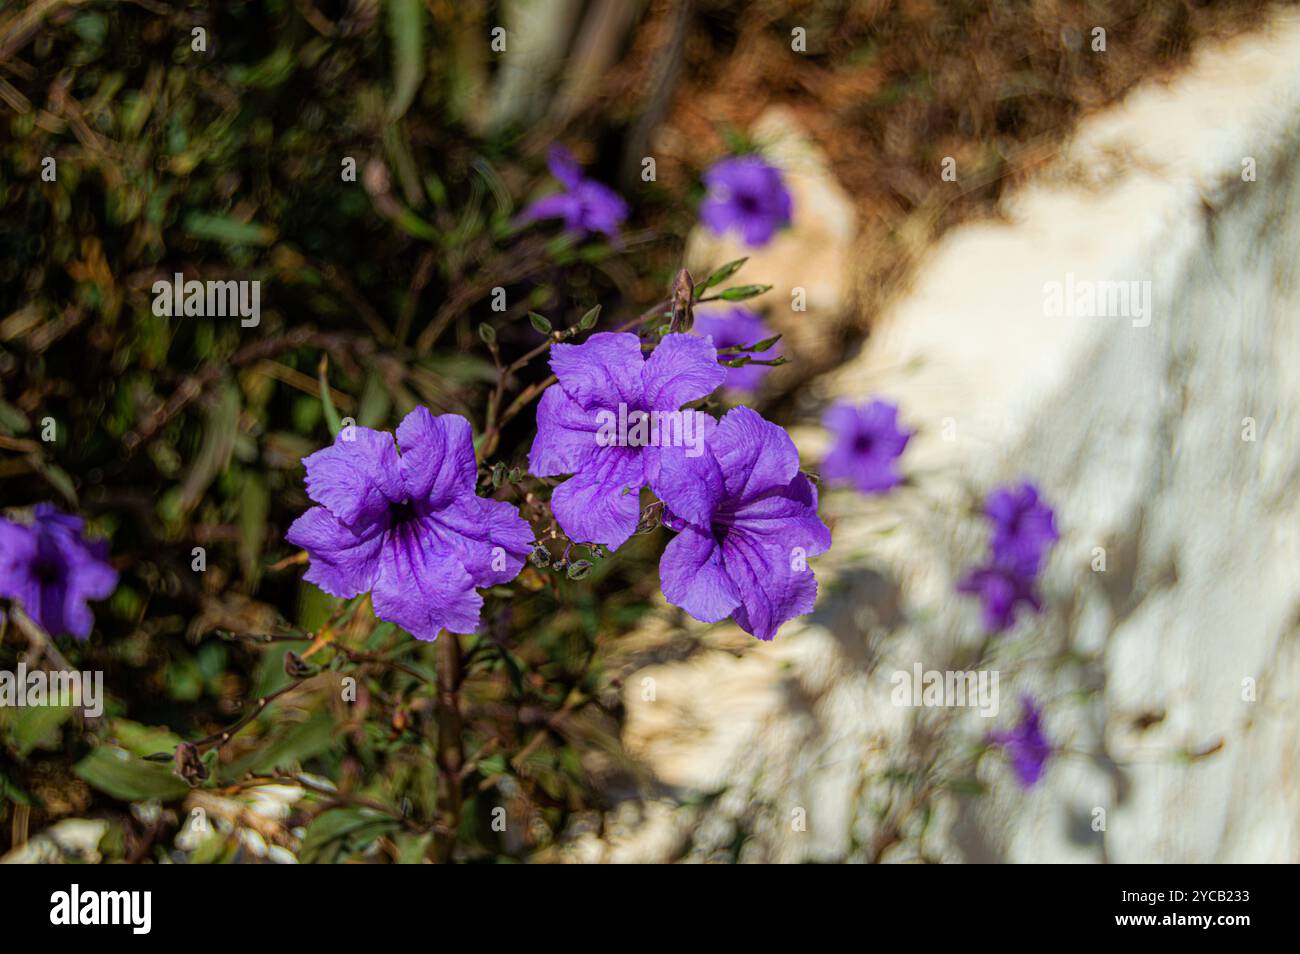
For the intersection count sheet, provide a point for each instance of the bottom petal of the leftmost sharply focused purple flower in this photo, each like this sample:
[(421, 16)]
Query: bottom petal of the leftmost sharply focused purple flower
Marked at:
[(422, 587)]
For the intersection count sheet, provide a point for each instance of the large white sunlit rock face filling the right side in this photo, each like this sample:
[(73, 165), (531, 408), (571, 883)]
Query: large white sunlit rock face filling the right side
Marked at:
[(1129, 339)]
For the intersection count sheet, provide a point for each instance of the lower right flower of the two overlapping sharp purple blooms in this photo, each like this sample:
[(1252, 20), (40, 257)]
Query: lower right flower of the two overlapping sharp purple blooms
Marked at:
[(747, 523)]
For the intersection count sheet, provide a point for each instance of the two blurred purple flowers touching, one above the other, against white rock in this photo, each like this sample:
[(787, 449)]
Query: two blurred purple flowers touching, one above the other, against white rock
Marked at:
[(1024, 532)]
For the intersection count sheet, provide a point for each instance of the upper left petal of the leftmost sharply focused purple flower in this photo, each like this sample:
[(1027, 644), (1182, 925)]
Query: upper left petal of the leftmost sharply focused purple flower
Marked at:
[(357, 479)]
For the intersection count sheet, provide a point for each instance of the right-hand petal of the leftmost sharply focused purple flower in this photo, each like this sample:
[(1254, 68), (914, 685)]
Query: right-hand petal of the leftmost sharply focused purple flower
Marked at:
[(489, 537)]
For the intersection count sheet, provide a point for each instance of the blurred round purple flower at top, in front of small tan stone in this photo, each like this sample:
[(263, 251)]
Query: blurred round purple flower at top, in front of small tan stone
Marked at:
[(748, 196)]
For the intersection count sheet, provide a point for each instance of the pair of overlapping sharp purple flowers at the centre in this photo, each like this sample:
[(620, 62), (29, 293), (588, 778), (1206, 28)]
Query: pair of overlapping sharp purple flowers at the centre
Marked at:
[(746, 517)]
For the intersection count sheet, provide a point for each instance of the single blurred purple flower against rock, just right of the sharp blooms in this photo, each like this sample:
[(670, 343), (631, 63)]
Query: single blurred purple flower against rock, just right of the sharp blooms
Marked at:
[(868, 443)]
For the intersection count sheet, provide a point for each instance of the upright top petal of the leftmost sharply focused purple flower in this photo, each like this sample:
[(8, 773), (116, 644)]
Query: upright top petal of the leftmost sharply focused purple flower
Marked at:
[(437, 457)]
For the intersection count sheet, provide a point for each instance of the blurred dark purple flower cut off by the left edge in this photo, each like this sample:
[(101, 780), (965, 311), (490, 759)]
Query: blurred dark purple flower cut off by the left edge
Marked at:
[(51, 571)]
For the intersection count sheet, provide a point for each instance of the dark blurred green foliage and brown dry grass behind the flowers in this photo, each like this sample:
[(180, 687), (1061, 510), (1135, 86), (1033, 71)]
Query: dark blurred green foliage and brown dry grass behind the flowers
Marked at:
[(180, 433)]
